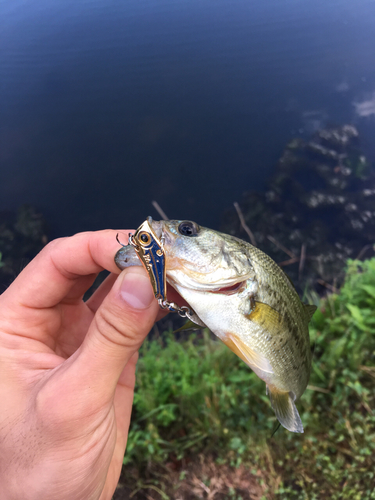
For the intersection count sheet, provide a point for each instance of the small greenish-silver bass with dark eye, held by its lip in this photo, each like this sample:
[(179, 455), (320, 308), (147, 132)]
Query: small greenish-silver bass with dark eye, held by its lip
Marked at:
[(246, 300)]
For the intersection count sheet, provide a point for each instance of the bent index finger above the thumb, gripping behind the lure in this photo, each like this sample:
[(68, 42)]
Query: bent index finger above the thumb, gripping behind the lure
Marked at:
[(65, 268)]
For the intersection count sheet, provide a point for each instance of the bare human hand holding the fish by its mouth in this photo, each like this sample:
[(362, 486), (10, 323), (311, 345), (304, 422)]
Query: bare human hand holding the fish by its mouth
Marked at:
[(68, 370)]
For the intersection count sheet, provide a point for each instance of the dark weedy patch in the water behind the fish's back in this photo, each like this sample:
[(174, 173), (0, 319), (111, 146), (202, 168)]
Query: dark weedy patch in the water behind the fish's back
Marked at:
[(317, 211)]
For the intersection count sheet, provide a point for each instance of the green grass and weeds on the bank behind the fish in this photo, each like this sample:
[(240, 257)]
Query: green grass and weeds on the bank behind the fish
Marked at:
[(195, 396)]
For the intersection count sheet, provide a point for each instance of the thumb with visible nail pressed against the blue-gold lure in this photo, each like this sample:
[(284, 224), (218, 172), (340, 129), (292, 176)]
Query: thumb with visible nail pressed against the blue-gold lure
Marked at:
[(118, 329)]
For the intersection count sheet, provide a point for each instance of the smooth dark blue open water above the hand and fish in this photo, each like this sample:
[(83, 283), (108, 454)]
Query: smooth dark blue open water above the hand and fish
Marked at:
[(106, 105)]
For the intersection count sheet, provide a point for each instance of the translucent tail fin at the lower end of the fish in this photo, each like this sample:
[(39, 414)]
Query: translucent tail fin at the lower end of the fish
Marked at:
[(285, 409)]
